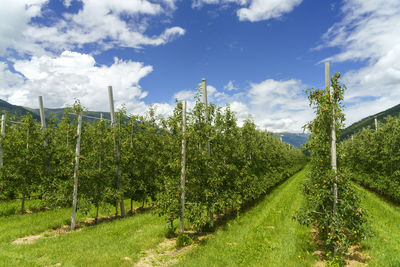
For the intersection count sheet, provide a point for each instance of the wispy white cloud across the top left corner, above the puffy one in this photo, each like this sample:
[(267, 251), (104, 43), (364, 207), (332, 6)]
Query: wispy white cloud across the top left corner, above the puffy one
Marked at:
[(104, 24)]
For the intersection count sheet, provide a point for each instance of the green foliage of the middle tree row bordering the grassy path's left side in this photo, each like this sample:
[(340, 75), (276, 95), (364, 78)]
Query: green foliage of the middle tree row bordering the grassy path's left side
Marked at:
[(227, 165)]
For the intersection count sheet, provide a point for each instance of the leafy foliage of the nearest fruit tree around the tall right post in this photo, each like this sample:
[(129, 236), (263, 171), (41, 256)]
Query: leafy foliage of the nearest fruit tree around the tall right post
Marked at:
[(342, 225)]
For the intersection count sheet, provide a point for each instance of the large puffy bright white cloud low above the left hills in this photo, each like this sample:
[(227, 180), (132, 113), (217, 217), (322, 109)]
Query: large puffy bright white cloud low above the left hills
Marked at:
[(73, 75)]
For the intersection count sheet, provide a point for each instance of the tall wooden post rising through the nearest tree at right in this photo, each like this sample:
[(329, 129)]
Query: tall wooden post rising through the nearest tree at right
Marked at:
[(333, 137)]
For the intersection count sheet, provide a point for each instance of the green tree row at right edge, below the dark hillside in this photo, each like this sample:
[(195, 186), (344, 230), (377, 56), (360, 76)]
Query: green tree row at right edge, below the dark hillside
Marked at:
[(372, 158)]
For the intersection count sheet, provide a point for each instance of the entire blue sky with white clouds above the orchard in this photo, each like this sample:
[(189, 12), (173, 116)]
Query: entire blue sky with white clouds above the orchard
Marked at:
[(258, 56)]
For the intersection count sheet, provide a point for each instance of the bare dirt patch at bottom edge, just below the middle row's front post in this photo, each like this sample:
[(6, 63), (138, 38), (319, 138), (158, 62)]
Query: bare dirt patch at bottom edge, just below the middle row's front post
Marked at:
[(167, 253)]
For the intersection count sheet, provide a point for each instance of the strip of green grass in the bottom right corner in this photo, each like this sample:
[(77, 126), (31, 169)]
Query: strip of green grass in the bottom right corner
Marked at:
[(384, 245)]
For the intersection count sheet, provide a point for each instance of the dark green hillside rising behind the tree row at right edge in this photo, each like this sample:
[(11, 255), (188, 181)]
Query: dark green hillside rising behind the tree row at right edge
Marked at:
[(369, 121)]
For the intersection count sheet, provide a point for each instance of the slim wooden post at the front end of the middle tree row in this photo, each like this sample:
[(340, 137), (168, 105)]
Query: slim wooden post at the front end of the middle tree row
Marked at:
[(183, 169)]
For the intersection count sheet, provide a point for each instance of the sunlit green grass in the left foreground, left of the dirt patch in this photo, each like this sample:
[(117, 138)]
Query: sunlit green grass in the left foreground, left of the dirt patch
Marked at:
[(105, 244)]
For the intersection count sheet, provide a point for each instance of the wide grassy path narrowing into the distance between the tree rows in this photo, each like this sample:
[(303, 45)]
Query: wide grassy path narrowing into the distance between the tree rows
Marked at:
[(264, 236)]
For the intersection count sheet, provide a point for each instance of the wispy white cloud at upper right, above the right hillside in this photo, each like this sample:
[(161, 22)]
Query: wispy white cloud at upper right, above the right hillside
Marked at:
[(368, 32)]
